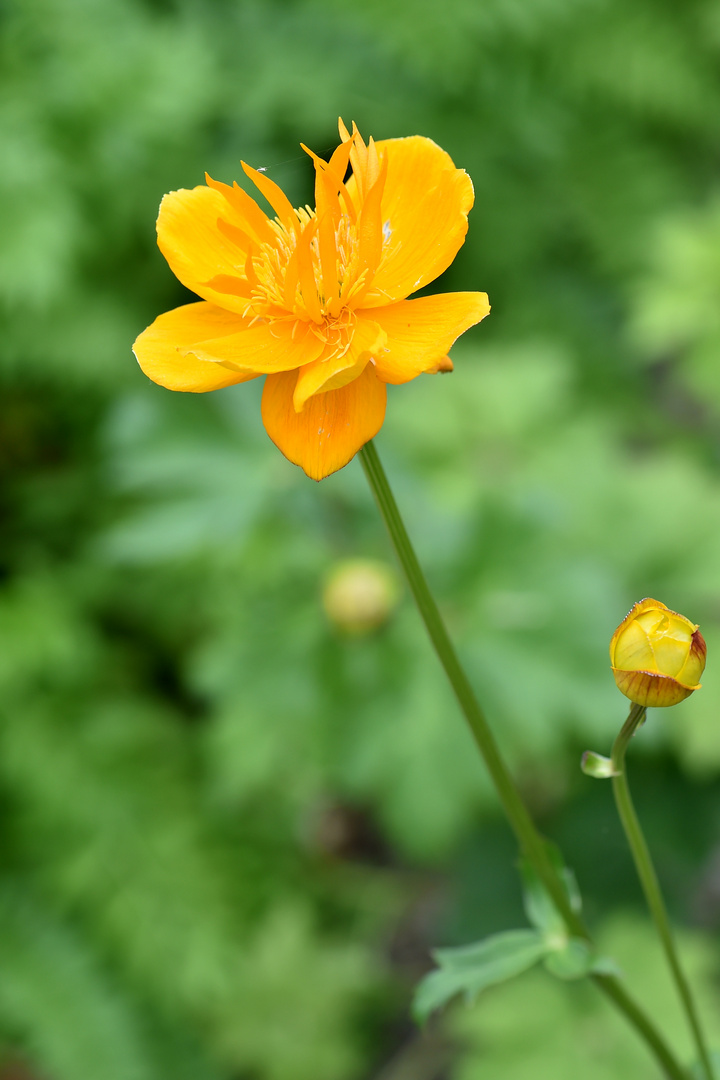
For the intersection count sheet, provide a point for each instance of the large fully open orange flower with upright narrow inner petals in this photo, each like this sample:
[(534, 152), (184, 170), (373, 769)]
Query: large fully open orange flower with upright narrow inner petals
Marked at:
[(316, 300)]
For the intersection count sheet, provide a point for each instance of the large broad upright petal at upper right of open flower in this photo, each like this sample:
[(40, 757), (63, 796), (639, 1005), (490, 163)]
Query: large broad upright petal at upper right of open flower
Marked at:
[(425, 211)]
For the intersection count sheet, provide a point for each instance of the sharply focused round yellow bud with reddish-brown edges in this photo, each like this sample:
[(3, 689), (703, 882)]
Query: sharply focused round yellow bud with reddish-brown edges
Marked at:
[(657, 655)]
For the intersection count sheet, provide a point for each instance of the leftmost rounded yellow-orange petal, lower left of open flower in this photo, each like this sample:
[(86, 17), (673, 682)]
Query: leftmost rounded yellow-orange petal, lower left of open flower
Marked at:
[(161, 349)]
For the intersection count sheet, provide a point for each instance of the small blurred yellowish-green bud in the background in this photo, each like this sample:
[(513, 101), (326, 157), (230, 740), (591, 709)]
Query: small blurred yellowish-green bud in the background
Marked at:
[(360, 596)]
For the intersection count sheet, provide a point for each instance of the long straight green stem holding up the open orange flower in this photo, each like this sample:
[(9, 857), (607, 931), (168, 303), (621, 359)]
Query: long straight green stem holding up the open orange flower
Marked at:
[(531, 841)]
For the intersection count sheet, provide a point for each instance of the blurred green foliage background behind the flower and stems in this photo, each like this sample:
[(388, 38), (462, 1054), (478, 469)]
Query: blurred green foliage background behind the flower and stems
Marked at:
[(238, 804)]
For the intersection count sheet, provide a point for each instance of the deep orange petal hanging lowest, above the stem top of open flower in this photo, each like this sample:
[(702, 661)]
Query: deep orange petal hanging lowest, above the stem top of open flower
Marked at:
[(332, 427)]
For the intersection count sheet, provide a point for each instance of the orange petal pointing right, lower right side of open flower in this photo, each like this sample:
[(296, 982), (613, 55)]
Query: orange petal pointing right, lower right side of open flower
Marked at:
[(422, 332)]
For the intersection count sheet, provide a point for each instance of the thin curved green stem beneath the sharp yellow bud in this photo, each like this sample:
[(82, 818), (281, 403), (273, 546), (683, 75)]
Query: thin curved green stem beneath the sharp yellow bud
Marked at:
[(649, 881)]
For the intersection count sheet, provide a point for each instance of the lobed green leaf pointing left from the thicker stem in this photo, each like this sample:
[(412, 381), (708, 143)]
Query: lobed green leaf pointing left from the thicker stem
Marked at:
[(473, 968)]
